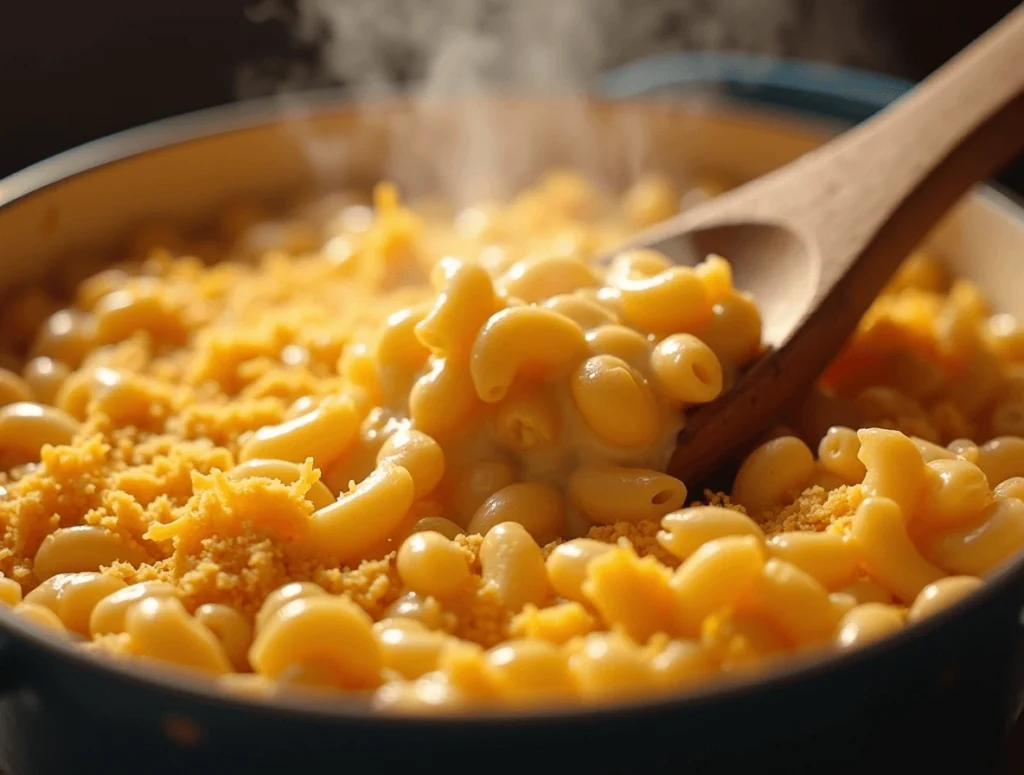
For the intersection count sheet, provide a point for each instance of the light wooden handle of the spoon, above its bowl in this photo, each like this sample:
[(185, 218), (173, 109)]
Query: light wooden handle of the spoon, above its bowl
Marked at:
[(883, 185)]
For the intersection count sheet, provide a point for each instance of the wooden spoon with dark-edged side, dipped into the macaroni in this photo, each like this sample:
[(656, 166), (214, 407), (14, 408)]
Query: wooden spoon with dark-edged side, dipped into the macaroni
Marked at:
[(817, 241)]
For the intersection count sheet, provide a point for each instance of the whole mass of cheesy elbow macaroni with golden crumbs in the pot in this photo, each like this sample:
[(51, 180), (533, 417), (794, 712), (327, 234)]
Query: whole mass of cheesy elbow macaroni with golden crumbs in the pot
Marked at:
[(444, 453)]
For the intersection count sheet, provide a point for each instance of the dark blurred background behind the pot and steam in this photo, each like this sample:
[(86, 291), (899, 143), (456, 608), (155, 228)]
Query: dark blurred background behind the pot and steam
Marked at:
[(72, 71)]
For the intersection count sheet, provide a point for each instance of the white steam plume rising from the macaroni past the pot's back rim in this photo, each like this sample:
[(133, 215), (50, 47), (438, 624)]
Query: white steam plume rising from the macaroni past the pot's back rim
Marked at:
[(449, 54)]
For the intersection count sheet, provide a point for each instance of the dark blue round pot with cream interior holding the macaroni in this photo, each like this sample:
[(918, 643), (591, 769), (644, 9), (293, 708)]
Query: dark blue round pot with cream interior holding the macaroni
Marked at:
[(937, 695)]
